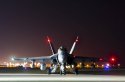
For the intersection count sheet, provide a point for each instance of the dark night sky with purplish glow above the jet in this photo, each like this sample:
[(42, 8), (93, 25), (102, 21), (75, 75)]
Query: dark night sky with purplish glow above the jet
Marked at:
[(24, 25)]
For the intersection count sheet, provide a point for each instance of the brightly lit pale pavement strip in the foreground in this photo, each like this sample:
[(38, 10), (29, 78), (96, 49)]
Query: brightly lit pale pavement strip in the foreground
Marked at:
[(60, 78)]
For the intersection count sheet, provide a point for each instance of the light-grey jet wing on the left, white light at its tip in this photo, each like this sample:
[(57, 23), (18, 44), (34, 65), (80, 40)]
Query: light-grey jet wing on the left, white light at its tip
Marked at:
[(42, 58)]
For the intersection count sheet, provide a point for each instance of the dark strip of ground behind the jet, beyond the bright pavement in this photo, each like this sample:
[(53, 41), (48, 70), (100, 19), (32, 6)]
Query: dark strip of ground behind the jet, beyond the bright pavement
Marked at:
[(82, 71)]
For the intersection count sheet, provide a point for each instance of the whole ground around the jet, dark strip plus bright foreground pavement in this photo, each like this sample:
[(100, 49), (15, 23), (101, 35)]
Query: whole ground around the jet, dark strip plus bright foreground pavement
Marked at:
[(85, 75)]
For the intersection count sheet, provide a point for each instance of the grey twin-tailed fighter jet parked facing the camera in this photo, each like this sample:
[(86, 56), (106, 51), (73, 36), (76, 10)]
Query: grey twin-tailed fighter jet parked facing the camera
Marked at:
[(60, 59)]
